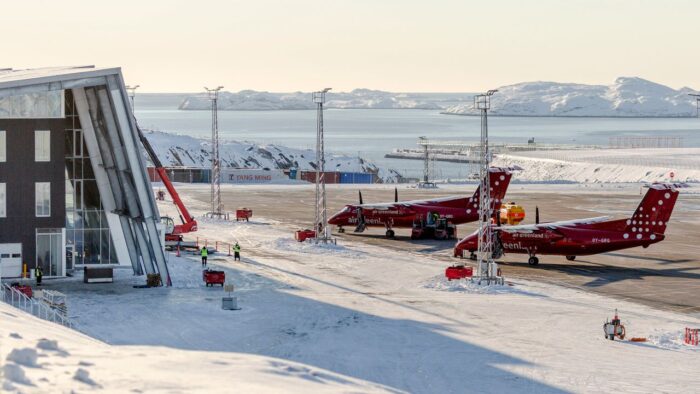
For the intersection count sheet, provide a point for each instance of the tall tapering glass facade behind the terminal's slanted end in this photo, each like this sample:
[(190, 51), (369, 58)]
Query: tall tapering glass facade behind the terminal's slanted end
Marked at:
[(88, 240)]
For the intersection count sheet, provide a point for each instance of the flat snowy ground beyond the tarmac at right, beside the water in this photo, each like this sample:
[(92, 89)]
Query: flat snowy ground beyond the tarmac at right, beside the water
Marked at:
[(606, 165)]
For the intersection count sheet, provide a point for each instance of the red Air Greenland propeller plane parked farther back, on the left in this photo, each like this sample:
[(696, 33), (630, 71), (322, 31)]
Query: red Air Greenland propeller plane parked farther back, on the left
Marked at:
[(456, 210)]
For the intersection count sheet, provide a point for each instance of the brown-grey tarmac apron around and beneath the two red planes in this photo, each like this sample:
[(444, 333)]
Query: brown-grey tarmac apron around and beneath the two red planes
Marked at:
[(665, 275)]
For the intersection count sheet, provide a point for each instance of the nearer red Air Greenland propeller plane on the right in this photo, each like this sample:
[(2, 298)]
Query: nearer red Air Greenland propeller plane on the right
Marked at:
[(583, 237)]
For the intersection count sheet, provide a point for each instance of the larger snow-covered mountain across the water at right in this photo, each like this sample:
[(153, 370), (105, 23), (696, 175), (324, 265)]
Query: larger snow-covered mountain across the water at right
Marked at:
[(627, 97)]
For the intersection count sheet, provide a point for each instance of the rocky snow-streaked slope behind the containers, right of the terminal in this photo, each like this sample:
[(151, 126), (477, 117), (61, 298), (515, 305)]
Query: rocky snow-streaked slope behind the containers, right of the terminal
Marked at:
[(181, 150)]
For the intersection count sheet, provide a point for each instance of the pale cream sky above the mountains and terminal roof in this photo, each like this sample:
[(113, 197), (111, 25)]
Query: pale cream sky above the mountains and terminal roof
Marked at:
[(396, 45)]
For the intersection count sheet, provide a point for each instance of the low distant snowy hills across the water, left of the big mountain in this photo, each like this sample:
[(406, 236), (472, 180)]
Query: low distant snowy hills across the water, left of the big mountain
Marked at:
[(251, 100)]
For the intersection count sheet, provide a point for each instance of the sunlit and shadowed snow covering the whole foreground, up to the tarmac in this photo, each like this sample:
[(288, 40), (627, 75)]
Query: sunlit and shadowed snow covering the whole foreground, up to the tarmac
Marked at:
[(350, 317)]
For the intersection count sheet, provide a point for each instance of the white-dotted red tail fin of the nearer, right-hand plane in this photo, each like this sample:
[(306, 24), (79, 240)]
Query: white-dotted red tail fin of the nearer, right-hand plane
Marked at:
[(654, 211)]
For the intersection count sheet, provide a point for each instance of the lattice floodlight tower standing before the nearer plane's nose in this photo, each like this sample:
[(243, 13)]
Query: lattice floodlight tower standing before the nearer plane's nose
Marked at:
[(487, 268)]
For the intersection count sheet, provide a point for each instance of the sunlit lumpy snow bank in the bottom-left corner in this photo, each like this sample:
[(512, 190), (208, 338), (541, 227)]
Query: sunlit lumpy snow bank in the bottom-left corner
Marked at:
[(88, 365)]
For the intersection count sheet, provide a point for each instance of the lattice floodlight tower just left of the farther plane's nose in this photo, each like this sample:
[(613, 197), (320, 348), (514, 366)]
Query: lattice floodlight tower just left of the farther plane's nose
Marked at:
[(321, 214)]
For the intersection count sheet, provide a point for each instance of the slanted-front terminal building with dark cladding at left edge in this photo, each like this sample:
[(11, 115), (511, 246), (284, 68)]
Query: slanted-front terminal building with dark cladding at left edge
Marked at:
[(74, 191)]
